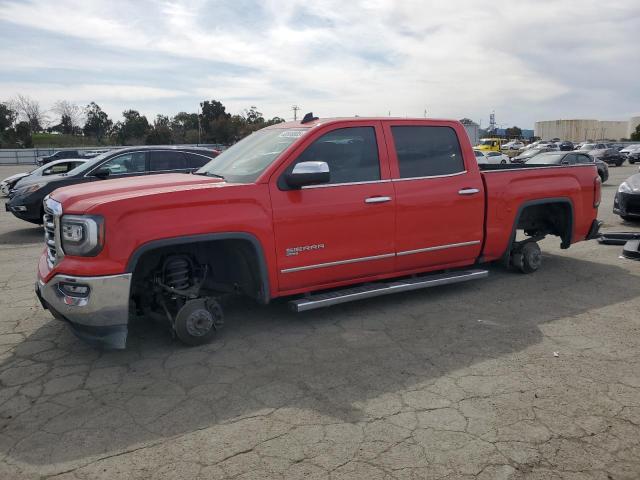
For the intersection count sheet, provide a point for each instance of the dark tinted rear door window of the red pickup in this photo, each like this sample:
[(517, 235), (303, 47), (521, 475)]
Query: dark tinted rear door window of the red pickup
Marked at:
[(427, 151)]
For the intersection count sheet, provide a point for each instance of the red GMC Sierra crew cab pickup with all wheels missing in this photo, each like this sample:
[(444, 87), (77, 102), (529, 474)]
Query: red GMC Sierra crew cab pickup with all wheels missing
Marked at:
[(323, 211)]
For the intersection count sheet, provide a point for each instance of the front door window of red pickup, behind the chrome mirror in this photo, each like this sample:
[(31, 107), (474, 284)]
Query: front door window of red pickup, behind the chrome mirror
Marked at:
[(351, 153)]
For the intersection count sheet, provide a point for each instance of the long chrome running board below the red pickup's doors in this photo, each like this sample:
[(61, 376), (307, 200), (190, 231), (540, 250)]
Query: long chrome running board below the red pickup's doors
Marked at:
[(320, 300)]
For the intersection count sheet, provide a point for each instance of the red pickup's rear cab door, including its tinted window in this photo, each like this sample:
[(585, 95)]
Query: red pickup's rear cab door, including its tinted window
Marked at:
[(439, 198)]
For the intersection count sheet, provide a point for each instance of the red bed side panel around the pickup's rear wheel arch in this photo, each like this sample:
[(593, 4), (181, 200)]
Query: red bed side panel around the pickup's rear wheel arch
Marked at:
[(508, 190)]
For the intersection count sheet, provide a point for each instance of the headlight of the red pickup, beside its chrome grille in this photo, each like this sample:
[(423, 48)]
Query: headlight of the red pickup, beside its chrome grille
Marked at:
[(82, 235)]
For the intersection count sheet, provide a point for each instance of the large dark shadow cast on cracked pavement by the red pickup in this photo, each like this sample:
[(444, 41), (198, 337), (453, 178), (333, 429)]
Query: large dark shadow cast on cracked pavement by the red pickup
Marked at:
[(62, 401)]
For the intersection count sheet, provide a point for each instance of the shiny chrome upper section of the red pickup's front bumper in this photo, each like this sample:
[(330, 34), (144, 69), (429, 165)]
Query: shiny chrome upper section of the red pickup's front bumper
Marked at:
[(107, 303)]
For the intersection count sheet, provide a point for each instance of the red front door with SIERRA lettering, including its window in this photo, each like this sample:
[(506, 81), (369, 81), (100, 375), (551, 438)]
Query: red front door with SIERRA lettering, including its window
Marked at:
[(343, 229)]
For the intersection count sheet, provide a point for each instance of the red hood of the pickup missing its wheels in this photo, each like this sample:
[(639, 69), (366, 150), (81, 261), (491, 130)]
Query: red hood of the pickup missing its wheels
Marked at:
[(83, 197)]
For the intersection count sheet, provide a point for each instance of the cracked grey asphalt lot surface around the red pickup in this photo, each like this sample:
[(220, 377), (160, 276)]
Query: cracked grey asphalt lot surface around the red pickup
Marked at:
[(454, 382)]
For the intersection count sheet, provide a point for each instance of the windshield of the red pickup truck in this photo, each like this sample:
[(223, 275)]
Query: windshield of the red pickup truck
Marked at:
[(247, 159)]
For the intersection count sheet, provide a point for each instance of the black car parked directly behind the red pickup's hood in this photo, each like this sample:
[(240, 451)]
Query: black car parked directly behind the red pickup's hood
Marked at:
[(27, 196)]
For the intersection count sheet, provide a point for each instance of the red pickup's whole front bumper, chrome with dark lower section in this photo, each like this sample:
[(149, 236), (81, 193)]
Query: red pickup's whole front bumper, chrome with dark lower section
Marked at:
[(97, 314)]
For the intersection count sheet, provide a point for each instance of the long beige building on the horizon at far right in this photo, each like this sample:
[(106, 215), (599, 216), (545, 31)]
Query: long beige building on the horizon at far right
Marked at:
[(579, 130)]
